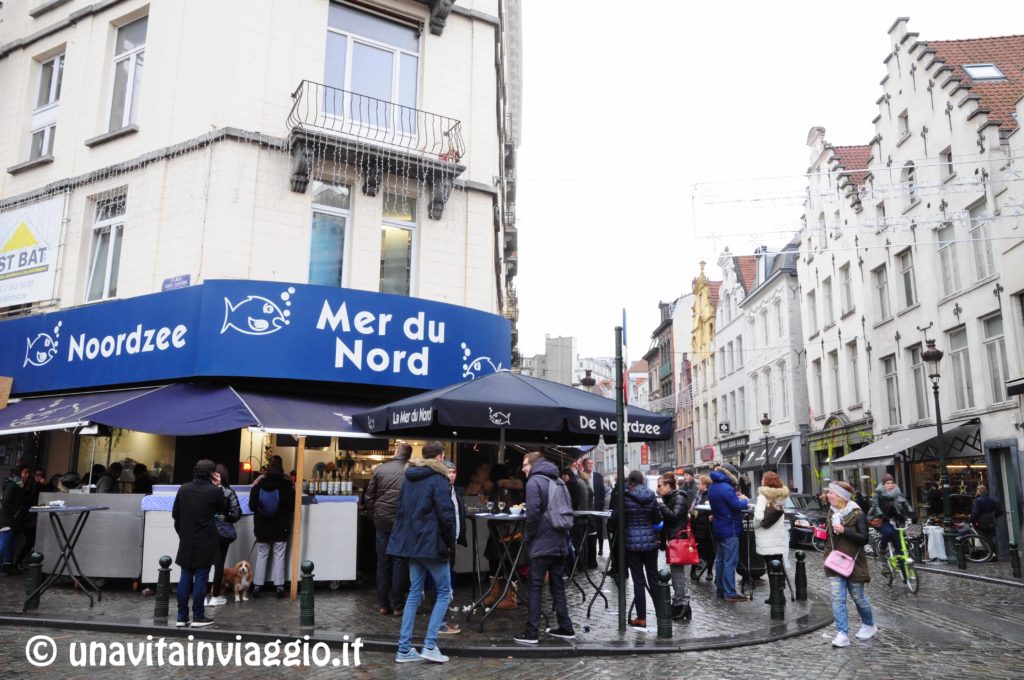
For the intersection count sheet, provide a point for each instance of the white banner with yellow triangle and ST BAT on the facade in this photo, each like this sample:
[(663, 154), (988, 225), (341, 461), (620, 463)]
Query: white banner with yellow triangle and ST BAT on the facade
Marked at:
[(30, 237)]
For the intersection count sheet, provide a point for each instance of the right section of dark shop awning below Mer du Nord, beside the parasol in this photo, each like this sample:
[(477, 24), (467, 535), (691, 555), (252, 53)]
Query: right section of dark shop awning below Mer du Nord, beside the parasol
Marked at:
[(282, 414)]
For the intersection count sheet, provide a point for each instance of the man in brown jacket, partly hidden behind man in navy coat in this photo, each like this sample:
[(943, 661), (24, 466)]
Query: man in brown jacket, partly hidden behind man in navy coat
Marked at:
[(381, 503)]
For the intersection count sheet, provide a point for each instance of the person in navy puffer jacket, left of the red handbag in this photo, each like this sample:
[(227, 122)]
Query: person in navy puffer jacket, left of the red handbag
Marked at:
[(643, 514)]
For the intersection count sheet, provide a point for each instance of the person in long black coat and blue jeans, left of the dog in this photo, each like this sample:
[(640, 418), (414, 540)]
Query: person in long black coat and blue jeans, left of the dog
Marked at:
[(195, 507)]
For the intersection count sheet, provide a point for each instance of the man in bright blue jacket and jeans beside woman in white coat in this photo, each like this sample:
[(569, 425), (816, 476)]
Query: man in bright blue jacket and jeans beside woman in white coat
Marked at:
[(728, 507)]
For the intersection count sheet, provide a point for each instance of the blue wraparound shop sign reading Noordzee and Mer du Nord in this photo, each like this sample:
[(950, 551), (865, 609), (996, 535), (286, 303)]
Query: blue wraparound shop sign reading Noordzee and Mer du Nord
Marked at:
[(255, 329)]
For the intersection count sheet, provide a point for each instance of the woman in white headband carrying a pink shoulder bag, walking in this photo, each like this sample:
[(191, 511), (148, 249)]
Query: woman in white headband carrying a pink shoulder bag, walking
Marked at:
[(846, 563)]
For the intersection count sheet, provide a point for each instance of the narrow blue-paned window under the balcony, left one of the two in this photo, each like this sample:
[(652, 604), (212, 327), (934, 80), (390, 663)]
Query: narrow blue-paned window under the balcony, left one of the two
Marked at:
[(329, 234)]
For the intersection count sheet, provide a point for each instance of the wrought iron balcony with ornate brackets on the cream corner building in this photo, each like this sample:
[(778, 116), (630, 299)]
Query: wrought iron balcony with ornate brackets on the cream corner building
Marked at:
[(381, 137)]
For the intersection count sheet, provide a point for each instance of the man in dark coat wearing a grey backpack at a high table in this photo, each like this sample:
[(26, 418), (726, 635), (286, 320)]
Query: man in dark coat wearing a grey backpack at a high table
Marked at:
[(546, 547)]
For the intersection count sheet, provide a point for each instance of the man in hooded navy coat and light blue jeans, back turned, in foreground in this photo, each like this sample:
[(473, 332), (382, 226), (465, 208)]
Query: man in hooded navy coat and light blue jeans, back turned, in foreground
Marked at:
[(424, 535)]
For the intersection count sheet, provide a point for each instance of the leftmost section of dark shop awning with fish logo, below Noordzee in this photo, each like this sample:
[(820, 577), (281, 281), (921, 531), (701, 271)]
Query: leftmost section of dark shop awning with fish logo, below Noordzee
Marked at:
[(63, 412)]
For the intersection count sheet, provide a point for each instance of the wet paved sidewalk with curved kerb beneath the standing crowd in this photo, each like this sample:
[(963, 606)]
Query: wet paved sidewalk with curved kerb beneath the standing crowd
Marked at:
[(352, 612)]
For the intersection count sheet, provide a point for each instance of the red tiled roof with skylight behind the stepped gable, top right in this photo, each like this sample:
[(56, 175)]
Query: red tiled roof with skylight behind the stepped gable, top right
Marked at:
[(1007, 53)]
